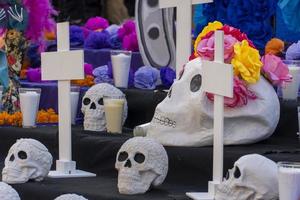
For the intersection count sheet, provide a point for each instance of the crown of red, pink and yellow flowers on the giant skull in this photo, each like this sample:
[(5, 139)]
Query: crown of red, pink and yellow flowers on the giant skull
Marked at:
[(245, 59)]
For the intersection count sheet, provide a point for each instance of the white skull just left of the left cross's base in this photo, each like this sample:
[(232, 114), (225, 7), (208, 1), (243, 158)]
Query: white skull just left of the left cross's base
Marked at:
[(27, 159)]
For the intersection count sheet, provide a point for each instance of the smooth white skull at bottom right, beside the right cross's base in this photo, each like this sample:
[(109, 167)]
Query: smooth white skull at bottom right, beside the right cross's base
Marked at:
[(253, 177)]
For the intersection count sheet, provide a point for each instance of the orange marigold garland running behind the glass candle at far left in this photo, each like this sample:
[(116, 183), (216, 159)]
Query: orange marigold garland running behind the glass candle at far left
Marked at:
[(43, 117)]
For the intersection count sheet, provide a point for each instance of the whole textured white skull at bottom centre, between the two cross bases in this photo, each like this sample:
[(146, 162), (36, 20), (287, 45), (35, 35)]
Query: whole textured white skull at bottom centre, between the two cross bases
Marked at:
[(141, 162)]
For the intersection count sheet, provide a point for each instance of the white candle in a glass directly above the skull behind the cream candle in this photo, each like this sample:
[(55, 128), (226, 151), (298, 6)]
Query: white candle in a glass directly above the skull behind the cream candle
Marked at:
[(121, 66)]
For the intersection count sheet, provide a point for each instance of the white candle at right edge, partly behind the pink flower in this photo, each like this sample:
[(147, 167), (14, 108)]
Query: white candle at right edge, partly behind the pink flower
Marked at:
[(290, 90)]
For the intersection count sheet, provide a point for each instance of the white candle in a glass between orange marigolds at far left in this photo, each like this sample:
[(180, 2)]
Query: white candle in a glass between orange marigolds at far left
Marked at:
[(29, 107)]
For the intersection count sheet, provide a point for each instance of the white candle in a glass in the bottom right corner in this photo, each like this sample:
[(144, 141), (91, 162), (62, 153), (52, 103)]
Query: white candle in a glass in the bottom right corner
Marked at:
[(289, 183)]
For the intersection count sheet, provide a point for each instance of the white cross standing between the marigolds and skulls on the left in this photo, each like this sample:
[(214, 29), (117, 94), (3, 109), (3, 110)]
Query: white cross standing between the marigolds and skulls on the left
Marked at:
[(63, 66)]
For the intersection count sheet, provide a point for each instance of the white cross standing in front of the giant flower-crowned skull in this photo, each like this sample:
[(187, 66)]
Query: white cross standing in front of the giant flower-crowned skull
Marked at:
[(217, 78)]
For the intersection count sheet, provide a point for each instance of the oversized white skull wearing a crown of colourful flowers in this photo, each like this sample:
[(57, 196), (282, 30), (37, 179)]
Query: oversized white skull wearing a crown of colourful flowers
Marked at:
[(184, 117)]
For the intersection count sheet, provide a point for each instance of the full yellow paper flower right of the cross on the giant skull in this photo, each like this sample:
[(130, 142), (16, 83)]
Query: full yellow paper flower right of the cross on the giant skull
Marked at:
[(246, 62)]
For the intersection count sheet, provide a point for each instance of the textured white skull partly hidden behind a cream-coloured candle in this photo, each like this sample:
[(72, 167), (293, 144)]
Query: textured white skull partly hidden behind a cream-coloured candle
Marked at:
[(93, 106)]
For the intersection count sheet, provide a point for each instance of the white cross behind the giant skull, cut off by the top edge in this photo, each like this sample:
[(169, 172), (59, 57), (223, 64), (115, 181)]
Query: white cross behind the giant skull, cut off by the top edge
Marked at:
[(184, 28)]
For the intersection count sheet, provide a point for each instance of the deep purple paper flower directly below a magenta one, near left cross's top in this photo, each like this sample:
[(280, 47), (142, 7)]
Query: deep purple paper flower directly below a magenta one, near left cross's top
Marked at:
[(97, 40)]
